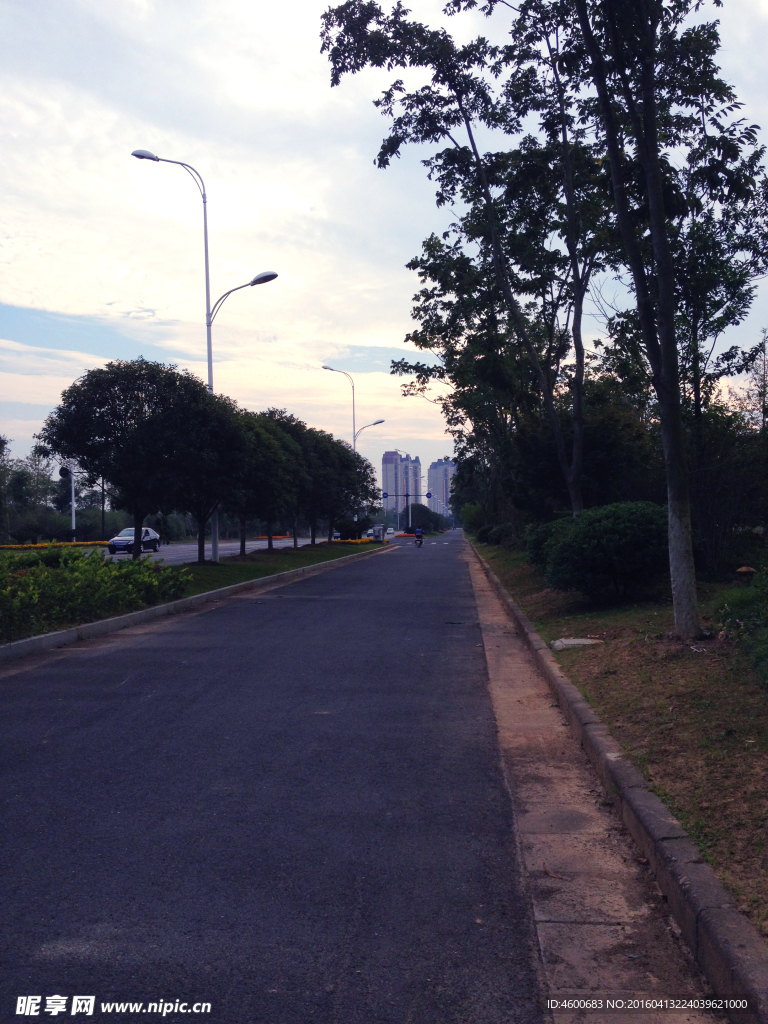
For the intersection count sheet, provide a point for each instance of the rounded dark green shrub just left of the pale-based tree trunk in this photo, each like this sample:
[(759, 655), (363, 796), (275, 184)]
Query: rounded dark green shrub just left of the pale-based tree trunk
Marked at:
[(619, 547)]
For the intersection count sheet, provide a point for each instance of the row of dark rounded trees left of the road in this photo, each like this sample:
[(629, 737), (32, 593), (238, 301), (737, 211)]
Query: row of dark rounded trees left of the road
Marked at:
[(153, 446)]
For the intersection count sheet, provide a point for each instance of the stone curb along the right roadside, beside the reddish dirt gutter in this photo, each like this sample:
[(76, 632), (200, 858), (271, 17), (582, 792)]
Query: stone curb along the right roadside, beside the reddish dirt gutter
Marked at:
[(727, 947)]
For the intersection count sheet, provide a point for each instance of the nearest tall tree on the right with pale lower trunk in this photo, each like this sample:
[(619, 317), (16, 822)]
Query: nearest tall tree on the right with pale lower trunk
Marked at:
[(658, 90)]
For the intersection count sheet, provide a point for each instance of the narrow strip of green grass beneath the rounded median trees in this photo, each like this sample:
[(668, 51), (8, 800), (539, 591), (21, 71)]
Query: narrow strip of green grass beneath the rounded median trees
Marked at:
[(235, 569)]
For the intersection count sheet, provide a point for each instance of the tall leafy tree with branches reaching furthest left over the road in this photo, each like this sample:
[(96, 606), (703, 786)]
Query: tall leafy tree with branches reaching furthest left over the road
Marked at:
[(536, 218)]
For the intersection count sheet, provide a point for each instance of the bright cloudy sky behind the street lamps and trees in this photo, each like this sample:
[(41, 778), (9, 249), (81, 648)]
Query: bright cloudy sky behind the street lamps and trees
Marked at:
[(102, 255)]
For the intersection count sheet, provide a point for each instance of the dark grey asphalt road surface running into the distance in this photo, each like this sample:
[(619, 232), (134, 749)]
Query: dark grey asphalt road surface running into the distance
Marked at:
[(289, 806)]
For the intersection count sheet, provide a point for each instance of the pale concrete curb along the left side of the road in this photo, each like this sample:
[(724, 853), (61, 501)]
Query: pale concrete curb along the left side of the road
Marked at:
[(50, 642)]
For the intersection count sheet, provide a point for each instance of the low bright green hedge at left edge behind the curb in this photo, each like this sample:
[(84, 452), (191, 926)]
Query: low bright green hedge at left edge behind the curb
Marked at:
[(55, 588)]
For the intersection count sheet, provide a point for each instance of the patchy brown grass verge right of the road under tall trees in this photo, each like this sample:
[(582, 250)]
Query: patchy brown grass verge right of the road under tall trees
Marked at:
[(694, 717)]
